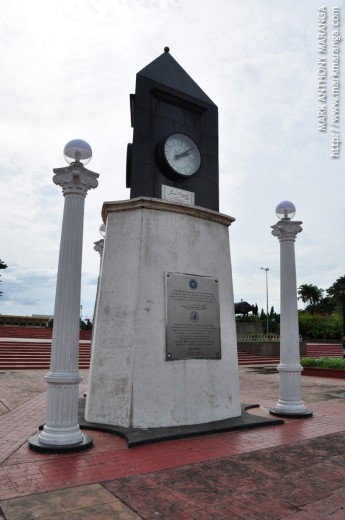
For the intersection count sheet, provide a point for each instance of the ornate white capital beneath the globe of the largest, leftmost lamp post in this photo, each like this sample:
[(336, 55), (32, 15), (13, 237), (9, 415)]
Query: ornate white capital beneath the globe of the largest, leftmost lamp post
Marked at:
[(75, 179)]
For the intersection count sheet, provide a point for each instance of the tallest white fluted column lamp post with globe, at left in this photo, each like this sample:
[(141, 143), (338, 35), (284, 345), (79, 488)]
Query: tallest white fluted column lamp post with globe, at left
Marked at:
[(61, 431)]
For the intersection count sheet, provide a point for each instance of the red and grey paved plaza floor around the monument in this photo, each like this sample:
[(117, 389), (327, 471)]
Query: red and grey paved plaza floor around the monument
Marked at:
[(295, 470)]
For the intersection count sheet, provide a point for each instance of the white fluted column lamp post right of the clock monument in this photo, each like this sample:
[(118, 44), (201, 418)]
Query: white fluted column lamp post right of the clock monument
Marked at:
[(289, 403)]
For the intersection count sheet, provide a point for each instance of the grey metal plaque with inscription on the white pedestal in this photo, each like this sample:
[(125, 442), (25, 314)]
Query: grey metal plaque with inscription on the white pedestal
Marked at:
[(192, 317)]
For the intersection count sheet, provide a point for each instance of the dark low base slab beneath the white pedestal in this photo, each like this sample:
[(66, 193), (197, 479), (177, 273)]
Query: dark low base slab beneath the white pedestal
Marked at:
[(138, 436)]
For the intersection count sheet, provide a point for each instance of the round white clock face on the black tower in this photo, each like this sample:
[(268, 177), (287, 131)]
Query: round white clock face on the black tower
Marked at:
[(181, 154)]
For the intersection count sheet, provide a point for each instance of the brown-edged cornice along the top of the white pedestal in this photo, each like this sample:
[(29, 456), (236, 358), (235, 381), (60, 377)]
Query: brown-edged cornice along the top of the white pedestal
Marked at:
[(163, 205)]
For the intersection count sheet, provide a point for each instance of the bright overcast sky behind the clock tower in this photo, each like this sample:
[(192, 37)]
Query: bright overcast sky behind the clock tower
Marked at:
[(67, 69)]
